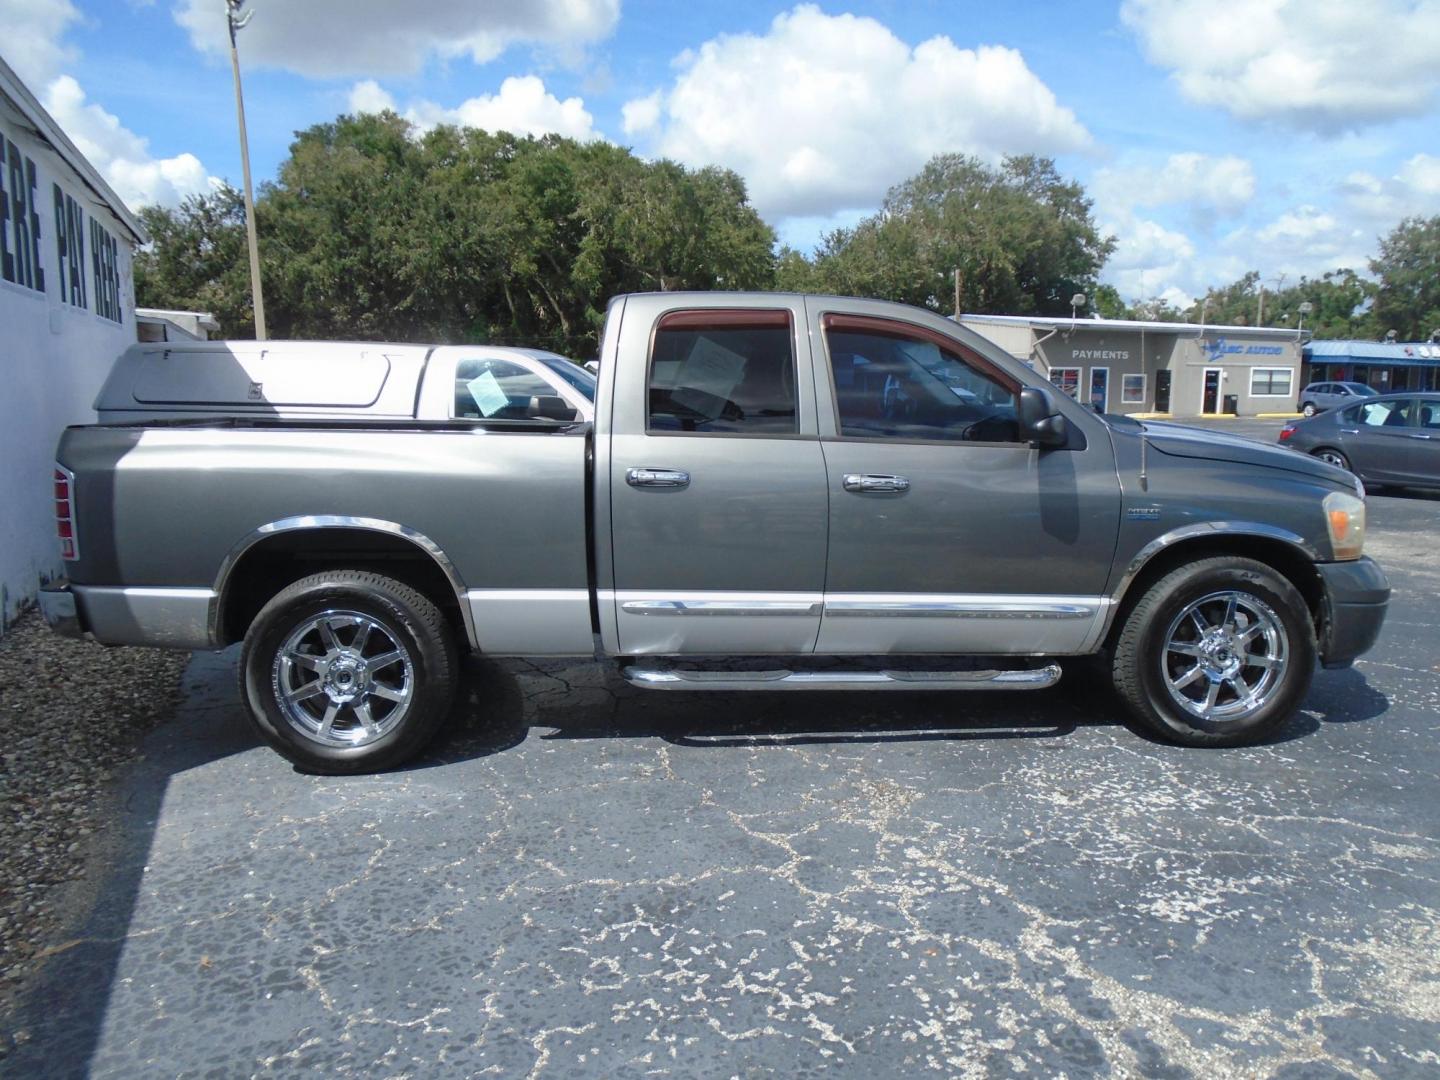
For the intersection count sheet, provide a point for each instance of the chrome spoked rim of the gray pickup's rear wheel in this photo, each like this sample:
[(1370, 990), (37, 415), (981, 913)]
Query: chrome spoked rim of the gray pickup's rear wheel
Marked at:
[(343, 679)]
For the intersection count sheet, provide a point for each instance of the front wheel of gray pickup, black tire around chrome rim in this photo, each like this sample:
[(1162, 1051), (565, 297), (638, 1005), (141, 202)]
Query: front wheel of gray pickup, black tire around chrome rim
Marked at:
[(1146, 670)]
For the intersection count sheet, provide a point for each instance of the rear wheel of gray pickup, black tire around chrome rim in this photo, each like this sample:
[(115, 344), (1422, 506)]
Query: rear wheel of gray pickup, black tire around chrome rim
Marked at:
[(404, 702)]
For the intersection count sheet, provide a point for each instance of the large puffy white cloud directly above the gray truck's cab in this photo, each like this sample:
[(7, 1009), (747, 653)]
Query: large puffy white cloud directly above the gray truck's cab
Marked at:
[(824, 113)]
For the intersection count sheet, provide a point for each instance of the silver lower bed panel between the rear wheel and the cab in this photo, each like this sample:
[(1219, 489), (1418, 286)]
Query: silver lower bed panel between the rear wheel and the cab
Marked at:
[(532, 623)]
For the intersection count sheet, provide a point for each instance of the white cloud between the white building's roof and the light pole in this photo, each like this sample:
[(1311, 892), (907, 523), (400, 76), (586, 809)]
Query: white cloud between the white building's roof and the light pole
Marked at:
[(120, 155)]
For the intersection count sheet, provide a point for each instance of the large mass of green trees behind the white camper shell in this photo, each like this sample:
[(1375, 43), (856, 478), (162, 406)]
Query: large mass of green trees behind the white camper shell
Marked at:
[(372, 231)]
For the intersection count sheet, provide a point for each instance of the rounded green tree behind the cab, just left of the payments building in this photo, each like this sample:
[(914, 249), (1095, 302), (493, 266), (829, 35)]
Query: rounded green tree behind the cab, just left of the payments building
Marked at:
[(1022, 237)]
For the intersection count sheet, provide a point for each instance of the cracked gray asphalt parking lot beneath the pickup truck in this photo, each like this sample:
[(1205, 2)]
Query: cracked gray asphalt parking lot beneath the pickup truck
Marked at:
[(585, 881)]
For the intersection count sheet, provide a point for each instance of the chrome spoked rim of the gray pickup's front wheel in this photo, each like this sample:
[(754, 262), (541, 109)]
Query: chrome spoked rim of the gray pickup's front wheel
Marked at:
[(1225, 656)]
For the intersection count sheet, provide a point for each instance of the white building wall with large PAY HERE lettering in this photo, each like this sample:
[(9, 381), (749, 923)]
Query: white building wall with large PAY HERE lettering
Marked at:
[(54, 358)]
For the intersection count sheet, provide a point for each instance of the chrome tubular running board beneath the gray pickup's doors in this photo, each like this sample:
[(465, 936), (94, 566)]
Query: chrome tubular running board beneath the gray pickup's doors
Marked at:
[(672, 679)]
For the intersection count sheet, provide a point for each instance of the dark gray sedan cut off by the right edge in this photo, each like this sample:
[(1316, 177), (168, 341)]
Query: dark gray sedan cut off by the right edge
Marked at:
[(1392, 438)]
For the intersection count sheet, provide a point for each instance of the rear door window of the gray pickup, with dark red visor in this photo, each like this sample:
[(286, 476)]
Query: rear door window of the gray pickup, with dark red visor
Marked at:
[(724, 372)]
